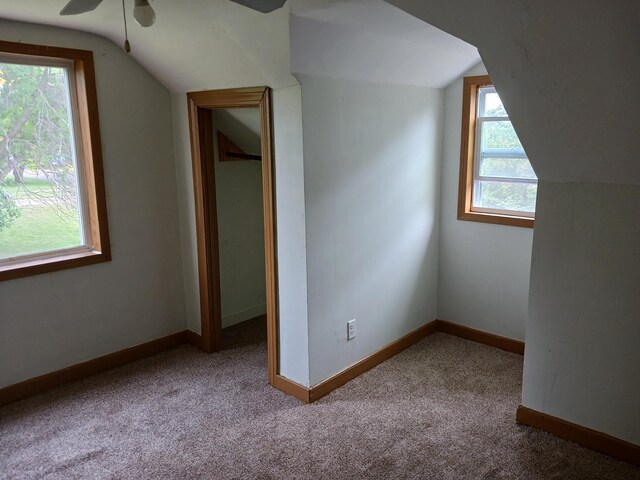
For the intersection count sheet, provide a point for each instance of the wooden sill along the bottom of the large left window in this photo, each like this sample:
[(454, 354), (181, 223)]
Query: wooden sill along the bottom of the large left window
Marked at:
[(52, 264)]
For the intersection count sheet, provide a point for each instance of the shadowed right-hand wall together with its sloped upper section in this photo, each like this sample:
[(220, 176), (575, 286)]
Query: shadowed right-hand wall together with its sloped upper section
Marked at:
[(557, 66)]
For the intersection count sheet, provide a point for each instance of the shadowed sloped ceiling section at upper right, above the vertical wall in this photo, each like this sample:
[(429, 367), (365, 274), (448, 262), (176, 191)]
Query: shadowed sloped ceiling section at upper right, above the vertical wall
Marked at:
[(567, 73)]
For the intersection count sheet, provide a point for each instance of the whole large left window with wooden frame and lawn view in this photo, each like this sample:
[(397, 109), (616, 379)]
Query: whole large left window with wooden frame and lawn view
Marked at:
[(52, 202)]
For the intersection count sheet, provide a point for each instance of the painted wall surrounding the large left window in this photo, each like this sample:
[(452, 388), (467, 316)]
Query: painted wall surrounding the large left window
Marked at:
[(54, 320)]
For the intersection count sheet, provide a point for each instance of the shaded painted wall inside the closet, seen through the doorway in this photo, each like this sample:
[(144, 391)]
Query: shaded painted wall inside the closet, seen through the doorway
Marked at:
[(240, 218)]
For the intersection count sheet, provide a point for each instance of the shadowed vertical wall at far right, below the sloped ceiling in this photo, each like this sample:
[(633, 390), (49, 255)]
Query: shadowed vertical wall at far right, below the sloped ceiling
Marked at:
[(582, 361)]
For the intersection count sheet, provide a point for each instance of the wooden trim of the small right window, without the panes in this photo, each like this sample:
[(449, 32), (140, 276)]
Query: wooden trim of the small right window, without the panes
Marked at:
[(467, 150)]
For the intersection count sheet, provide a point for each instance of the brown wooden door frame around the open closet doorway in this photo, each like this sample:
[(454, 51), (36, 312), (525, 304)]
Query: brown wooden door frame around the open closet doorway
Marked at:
[(200, 105)]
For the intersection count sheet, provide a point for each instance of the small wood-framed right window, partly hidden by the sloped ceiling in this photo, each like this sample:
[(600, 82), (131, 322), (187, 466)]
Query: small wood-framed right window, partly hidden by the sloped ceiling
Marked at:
[(497, 182)]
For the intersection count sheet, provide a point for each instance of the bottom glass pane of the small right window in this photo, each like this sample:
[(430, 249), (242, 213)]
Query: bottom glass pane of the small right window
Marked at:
[(519, 197)]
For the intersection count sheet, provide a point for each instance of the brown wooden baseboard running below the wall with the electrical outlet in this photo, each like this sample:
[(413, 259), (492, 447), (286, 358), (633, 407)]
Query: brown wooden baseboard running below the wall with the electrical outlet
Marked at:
[(327, 386)]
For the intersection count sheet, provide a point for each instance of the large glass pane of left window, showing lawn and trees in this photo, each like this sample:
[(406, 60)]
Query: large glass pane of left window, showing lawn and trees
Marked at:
[(39, 199)]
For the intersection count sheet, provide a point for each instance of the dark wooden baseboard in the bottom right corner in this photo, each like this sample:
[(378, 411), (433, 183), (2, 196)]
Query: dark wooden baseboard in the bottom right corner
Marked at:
[(584, 436)]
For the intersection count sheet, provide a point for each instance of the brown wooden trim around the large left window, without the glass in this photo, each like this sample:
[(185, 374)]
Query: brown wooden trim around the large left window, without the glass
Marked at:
[(89, 143)]
